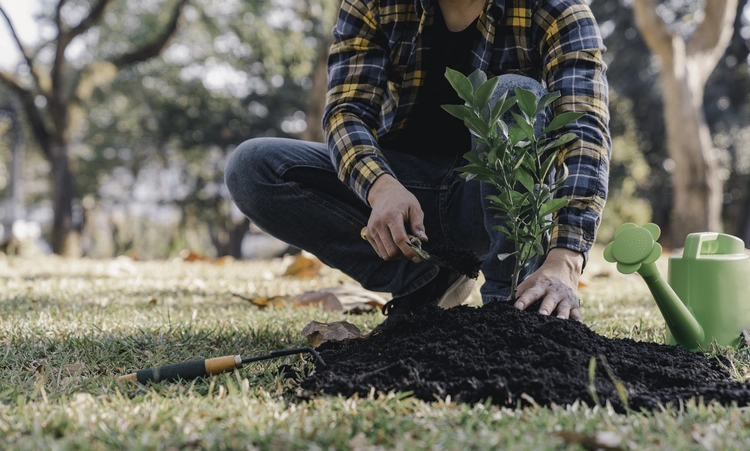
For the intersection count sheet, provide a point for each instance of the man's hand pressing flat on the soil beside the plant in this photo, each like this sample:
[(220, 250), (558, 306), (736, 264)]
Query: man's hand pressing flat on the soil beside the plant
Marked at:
[(556, 281)]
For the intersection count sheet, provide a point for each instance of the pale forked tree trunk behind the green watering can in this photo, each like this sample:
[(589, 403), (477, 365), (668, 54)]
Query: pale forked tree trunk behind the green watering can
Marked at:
[(698, 189)]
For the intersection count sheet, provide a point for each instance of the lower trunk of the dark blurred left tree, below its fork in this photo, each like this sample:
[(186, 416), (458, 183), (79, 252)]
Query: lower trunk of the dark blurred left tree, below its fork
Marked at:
[(63, 235)]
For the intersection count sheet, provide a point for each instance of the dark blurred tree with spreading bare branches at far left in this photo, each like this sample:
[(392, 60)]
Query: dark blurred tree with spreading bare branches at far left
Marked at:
[(55, 89)]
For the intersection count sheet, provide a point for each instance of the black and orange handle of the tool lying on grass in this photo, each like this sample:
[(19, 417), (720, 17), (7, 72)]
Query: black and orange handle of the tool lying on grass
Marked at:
[(185, 370)]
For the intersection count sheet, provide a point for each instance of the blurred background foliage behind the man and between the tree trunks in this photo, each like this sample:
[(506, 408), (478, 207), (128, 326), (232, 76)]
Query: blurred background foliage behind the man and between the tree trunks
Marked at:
[(150, 151)]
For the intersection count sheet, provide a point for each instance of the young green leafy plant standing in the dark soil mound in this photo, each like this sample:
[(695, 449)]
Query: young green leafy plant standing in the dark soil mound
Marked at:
[(514, 159)]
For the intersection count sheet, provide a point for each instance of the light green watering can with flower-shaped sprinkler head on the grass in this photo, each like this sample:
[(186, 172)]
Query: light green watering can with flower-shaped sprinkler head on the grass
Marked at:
[(708, 294)]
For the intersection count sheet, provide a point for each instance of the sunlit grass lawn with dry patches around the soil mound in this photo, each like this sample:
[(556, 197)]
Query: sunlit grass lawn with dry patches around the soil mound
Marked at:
[(68, 328)]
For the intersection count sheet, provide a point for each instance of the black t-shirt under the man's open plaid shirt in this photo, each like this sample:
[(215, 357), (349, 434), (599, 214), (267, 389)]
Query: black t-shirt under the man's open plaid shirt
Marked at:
[(430, 129)]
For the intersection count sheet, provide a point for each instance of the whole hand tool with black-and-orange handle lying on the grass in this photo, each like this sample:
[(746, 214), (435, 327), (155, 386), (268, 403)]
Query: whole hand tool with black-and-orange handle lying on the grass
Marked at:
[(204, 367)]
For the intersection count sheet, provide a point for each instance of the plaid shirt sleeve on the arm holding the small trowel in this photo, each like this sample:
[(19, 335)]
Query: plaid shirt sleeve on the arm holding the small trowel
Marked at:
[(357, 83)]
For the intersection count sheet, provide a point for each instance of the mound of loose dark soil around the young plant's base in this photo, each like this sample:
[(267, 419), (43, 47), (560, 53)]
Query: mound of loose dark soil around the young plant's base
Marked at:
[(514, 357)]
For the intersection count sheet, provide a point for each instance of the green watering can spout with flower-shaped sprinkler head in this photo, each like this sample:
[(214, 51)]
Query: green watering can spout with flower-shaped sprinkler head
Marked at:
[(635, 249)]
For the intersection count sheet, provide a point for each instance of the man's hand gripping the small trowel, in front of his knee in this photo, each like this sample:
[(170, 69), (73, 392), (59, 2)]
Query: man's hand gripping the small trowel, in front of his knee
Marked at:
[(393, 208)]
